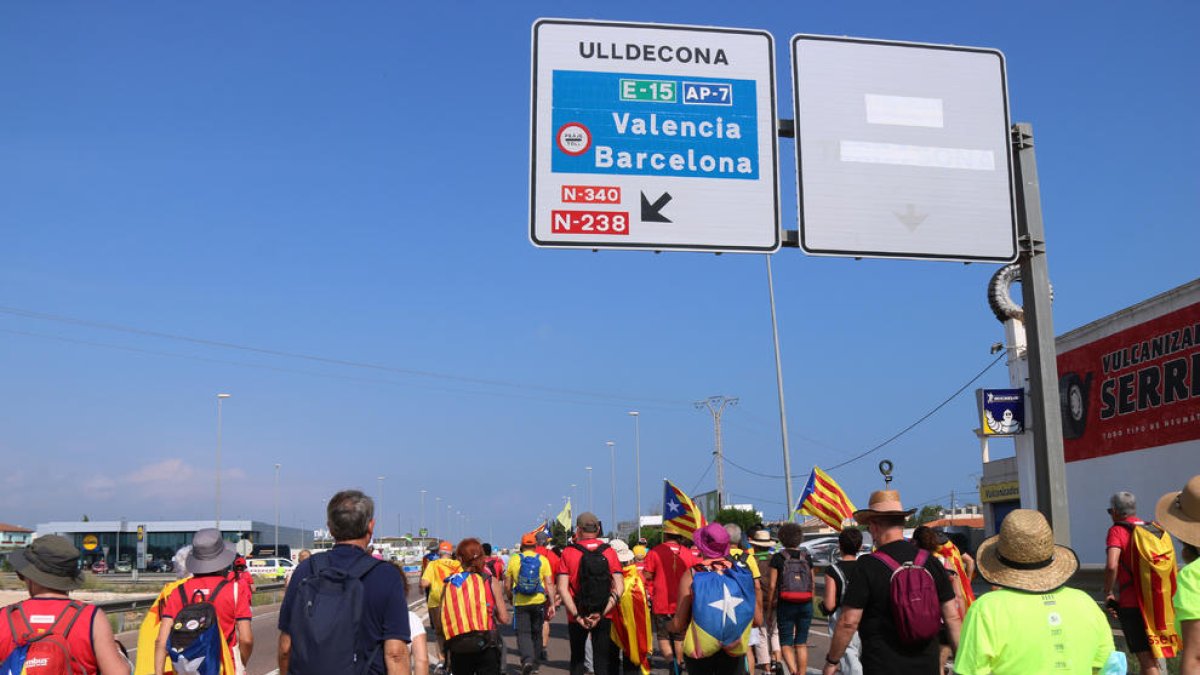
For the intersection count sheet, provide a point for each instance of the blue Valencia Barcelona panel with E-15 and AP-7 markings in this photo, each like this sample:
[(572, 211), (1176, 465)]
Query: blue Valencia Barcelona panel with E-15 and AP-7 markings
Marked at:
[(655, 126)]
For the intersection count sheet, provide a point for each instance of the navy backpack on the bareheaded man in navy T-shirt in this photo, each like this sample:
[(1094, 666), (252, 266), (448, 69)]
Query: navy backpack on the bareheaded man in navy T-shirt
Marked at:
[(325, 619)]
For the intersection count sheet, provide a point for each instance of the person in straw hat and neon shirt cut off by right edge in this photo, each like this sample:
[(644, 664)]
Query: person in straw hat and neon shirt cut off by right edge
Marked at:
[(1179, 513)]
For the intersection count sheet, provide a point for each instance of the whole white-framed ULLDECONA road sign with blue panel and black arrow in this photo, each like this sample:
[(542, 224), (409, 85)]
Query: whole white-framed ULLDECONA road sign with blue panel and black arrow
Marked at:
[(655, 138)]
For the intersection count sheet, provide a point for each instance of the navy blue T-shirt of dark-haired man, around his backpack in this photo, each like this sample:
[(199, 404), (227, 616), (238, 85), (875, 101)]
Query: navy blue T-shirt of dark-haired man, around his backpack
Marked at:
[(386, 614)]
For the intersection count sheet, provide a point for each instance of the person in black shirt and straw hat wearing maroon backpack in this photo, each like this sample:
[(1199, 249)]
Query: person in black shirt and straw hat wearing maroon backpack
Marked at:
[(899, 636)]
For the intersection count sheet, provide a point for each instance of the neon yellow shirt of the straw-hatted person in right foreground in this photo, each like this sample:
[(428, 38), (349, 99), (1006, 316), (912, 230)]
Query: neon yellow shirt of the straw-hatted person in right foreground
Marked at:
[(1010, 632)]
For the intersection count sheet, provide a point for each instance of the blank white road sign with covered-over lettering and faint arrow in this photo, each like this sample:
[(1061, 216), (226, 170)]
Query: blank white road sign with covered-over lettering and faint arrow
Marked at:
[(903, 151)]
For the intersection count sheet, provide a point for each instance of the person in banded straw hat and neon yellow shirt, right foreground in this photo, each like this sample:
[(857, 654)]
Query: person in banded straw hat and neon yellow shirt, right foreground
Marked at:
[(1033, 624)]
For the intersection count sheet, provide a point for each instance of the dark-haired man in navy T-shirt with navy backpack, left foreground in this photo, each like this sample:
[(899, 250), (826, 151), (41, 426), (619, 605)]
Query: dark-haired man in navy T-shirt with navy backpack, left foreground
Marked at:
[(320, 631)]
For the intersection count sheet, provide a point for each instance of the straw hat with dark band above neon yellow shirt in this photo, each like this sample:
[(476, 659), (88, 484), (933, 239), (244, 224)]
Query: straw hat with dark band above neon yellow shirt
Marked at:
[(1024, 555)]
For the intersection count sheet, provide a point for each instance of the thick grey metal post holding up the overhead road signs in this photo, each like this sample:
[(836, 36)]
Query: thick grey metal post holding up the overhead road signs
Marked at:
[(1047, 423)]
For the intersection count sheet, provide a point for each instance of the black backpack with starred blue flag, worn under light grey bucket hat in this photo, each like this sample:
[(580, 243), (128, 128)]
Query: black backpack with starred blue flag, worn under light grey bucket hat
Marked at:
[(196, 644)]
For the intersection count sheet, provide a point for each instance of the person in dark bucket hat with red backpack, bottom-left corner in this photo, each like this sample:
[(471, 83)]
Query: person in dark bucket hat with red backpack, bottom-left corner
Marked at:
[(50, 570)]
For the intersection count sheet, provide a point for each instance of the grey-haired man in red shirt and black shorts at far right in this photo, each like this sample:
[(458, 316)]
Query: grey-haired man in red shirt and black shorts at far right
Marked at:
[(1120, 596)]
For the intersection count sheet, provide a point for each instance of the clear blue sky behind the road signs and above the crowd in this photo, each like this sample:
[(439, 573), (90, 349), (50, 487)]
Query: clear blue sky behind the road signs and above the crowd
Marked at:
[(352, 183)]
